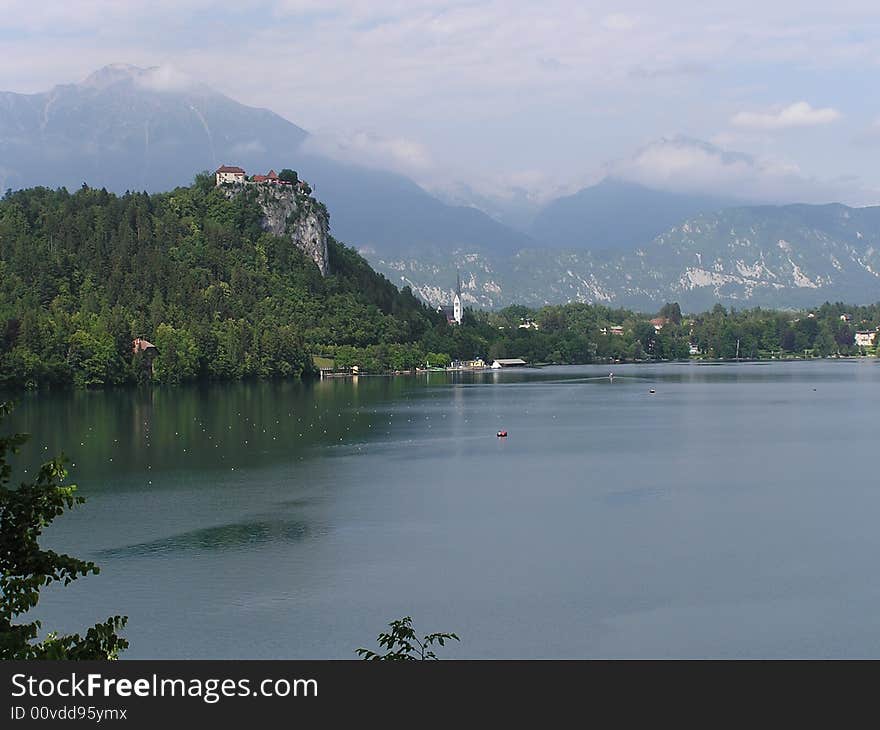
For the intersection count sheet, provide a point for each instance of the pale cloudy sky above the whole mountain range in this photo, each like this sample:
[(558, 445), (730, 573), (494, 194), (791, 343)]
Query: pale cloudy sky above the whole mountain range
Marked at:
[(519, 101)]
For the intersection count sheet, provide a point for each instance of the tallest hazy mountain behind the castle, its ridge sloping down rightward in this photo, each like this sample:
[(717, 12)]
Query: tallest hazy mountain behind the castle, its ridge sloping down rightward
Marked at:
[(129, 128)]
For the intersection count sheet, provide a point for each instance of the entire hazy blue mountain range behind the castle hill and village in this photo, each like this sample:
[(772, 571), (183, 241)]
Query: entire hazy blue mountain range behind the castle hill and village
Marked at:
[(615, 242)]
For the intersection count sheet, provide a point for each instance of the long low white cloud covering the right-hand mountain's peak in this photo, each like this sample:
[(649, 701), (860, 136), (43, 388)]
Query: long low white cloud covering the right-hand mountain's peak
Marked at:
[(682, 164)]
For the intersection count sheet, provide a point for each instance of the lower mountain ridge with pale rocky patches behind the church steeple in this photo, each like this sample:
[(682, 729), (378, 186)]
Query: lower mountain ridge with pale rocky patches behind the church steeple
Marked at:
[(785, 256)]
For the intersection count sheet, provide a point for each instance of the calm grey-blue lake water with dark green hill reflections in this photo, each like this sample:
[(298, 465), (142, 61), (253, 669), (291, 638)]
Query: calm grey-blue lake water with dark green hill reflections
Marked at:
[(735, 512)]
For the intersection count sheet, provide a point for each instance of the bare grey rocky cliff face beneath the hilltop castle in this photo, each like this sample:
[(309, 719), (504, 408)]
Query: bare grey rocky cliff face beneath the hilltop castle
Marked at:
[(289, 212)]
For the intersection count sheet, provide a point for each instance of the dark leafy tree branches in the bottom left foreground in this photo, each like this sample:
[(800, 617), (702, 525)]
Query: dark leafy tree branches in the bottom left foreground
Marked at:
[(25, 568)]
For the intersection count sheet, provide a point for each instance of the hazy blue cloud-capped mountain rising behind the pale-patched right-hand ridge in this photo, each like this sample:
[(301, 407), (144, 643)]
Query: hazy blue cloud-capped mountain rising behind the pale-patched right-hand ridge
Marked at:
[(615, 215)]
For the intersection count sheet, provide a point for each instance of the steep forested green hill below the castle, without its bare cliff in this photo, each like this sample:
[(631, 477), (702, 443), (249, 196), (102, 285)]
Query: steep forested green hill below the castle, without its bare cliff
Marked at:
[(82, 274)]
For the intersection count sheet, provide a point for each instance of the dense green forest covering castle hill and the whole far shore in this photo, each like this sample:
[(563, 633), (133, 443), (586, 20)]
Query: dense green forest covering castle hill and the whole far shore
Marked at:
[(82, 274)]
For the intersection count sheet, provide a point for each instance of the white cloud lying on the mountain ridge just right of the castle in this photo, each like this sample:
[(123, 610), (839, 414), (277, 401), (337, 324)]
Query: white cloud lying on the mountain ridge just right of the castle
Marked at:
[(393, 153)]
